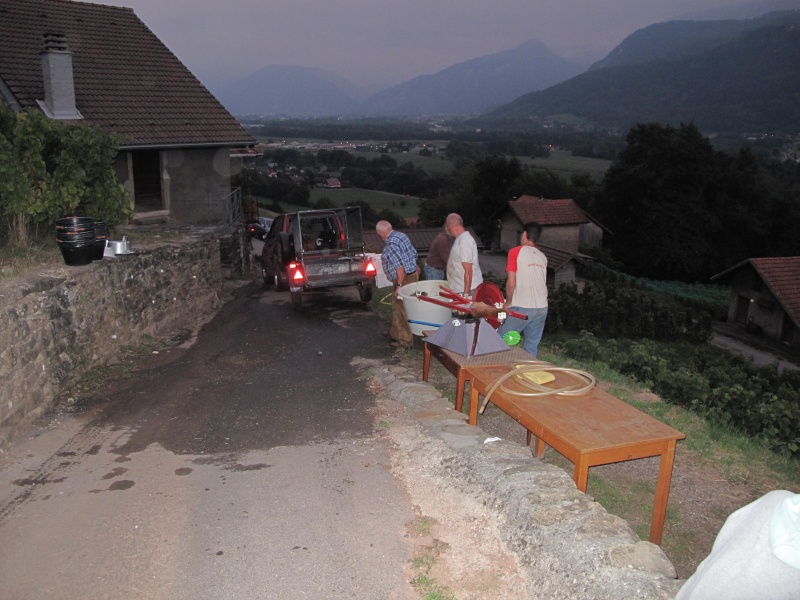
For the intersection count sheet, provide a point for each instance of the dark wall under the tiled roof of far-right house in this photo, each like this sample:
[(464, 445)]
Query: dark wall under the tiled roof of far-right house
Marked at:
[(753, 305)]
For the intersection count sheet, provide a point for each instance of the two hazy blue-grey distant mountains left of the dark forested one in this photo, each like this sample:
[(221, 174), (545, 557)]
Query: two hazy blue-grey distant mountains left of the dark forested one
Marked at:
[(465, 88)]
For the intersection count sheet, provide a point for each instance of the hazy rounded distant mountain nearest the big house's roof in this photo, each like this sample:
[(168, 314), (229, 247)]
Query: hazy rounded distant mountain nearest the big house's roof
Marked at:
[(292, 91)]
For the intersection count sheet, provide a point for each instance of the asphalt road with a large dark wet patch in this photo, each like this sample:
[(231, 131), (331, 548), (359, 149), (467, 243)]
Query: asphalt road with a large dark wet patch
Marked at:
[(245, 464)]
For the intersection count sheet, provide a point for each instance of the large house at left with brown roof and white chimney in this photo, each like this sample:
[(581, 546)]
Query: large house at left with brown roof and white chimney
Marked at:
[(101, 65)]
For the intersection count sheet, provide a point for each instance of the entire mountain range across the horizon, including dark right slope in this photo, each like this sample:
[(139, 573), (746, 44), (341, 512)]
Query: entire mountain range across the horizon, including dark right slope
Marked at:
[(725, 75)]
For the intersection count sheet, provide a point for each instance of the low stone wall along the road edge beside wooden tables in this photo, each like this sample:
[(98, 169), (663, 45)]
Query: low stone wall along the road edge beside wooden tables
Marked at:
[(569, 547)]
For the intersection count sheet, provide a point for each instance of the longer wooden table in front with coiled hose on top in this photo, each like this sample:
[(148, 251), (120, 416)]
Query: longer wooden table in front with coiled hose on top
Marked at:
[(589, 430)]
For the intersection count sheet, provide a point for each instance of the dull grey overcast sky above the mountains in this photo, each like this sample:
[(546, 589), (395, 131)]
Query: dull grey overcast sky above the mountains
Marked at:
[(376, 43)]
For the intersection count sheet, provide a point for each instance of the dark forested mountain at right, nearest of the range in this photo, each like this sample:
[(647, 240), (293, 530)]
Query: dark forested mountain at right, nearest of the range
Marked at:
[(745, 78)]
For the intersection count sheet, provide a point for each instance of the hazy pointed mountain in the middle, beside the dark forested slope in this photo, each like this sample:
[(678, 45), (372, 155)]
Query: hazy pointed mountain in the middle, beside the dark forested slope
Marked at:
[(475, 85)]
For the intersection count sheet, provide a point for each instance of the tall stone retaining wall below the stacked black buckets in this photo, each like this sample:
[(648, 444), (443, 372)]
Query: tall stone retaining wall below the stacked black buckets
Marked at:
[(61, 322)]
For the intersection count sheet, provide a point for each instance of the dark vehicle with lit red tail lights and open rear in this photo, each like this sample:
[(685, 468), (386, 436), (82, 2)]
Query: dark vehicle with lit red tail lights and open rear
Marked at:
[(313, 249)]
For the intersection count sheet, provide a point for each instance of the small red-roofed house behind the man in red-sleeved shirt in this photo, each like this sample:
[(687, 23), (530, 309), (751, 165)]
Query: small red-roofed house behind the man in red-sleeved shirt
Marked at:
[(564, 225)]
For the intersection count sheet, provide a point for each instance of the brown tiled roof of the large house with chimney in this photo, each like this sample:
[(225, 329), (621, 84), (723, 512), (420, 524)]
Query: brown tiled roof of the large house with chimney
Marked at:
[(126, 79)]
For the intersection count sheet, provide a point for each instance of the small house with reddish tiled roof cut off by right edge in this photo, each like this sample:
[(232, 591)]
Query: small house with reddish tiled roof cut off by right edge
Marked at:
[(765, 297)]
